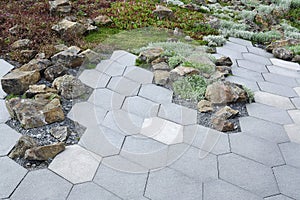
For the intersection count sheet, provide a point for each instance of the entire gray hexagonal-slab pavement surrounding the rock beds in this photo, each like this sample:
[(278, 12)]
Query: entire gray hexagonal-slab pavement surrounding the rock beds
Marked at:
[(140, 145)]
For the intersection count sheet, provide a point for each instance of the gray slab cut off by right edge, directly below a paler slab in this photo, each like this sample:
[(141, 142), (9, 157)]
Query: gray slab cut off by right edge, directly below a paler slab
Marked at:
[(291, 152)]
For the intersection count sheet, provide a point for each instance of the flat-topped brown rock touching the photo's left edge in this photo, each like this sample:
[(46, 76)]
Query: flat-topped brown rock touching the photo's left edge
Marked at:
[(17, 81)]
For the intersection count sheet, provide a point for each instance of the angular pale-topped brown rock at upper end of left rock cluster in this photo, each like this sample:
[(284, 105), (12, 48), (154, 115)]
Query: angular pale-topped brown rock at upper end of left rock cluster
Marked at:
[(68, 58)]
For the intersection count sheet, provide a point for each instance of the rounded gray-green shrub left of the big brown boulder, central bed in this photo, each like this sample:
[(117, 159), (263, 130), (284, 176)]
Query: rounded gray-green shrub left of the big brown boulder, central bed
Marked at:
[(190, 87)]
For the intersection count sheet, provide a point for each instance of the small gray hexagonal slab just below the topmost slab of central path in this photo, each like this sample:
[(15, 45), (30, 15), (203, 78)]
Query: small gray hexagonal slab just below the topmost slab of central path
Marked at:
[(111, 67)]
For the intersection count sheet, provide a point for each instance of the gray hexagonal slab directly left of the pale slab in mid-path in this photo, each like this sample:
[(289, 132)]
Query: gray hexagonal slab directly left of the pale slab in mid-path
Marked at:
[(123, 122)]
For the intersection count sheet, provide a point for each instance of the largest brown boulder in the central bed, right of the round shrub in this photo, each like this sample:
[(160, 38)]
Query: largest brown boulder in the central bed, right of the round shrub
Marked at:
[(225, 92)]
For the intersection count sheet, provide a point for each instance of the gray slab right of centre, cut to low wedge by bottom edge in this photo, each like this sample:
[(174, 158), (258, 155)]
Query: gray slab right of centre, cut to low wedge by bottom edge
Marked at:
[(220, 190)]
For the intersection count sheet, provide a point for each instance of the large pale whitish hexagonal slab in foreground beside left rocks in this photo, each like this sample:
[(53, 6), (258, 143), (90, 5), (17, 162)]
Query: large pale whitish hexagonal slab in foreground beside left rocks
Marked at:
[(76, 164)]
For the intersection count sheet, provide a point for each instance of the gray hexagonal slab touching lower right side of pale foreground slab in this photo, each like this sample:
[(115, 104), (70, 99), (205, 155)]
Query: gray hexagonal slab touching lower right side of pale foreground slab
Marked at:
[(125, 185)]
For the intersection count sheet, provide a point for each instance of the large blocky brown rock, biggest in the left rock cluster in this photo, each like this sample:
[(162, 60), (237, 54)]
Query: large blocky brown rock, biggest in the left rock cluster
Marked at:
[(33, 113)]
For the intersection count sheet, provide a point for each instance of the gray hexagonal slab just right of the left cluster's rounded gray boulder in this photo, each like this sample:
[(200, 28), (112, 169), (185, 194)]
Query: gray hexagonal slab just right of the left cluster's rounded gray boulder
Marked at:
[(94, 78)]
